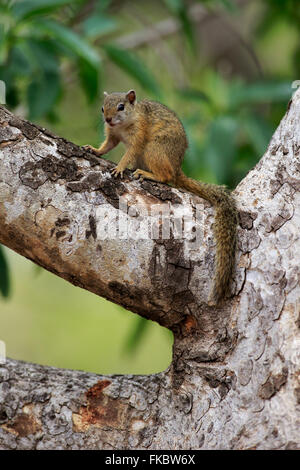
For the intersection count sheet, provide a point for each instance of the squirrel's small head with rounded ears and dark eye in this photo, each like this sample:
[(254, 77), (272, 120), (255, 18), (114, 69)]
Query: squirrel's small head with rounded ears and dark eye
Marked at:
[(118, 108)]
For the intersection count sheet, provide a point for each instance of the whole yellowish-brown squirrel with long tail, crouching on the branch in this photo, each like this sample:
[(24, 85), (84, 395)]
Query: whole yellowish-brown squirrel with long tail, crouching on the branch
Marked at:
[(156, 143)]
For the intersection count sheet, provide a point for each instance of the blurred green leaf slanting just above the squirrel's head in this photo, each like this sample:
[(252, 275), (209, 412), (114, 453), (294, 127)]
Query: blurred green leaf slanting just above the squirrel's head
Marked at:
[(134, 67)]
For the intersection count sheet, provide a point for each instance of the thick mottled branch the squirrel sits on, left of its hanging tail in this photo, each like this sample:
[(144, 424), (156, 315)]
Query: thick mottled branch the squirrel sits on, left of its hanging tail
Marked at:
[(57, 200)]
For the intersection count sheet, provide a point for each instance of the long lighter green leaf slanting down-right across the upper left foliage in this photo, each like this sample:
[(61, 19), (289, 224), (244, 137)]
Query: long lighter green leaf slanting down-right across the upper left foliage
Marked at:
[(71, 40)]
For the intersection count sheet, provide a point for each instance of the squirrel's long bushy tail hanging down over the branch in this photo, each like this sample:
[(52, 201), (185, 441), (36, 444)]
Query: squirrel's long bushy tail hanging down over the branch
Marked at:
[(224, 230)]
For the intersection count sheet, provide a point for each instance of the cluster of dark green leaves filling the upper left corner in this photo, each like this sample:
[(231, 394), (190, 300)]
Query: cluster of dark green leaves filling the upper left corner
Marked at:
[(34, 44)]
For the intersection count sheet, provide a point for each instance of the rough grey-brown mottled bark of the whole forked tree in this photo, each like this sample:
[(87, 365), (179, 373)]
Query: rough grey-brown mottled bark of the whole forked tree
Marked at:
[(234, 379)]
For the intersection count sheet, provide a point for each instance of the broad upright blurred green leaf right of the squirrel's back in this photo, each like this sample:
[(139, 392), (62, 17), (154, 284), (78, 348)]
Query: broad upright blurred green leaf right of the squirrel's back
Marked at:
[(220, 147)]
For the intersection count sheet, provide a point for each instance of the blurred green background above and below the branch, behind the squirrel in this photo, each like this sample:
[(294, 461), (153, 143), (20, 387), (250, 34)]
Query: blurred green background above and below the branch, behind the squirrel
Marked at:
[(225, 66)]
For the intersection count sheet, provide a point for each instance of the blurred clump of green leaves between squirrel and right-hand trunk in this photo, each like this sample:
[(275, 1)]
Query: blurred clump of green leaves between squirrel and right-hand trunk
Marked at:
[(236, 127)]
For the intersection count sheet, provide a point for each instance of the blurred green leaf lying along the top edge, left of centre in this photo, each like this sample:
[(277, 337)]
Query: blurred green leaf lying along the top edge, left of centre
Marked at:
[(29, 8)]
